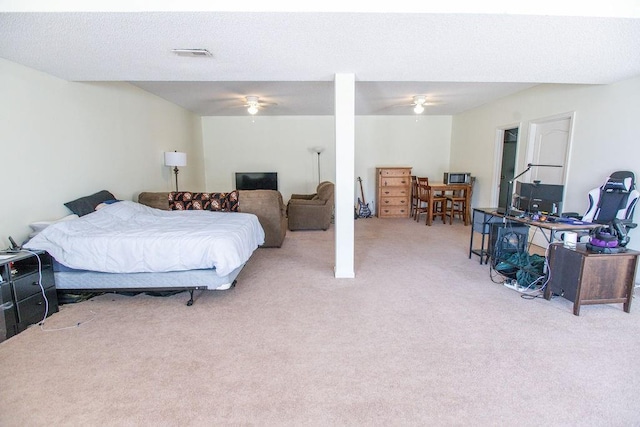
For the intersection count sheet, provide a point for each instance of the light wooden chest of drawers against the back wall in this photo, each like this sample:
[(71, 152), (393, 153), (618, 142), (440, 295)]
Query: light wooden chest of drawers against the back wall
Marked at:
[(393, 192)]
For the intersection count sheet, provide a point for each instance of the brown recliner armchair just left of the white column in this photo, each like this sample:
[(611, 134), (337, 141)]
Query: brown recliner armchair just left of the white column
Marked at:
[(311, 211)]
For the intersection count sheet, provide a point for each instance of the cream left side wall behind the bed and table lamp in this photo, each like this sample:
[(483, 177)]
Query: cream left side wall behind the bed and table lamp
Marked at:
[(63, 140)]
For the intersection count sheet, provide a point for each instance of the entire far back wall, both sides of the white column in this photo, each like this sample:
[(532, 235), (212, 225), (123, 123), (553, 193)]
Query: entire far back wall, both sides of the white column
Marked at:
[(283, 145)]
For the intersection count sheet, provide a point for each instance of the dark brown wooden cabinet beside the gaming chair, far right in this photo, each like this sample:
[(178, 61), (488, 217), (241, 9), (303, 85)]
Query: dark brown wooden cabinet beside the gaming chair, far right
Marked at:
[(591, 278)]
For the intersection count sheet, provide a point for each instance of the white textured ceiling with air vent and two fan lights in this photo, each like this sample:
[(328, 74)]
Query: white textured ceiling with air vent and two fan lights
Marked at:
[(459, 60)]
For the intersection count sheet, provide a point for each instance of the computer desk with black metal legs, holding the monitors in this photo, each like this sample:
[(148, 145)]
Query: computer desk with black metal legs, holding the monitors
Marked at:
[(483, 217)]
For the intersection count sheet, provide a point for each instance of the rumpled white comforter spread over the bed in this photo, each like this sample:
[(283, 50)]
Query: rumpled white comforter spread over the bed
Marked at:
[(127, 237)]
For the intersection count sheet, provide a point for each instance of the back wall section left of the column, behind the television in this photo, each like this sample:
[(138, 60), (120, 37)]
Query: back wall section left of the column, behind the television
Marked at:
[(269, 144)]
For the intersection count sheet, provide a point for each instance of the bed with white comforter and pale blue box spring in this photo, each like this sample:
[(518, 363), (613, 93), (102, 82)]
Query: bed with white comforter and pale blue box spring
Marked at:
[(127, 246)]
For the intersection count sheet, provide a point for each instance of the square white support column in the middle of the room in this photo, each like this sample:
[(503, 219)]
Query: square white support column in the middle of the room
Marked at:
[(345, 174)]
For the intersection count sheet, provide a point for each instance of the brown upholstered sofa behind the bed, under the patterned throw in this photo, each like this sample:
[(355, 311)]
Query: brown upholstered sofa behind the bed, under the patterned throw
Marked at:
[(267, 205)]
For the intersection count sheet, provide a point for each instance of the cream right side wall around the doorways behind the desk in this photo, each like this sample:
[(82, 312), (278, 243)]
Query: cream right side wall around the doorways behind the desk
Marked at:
[(606, 135)]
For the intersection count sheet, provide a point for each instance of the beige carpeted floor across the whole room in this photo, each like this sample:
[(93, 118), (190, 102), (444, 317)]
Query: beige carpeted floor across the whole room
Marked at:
[(422, 336)]
